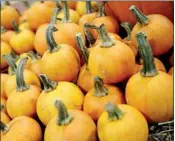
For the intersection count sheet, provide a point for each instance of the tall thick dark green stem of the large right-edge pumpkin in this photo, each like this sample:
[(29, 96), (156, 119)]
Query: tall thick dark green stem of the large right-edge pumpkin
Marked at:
[(149, 69)]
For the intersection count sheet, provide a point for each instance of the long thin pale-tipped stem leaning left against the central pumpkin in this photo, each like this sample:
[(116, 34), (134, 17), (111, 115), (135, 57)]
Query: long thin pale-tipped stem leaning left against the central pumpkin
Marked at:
[(82, 47)]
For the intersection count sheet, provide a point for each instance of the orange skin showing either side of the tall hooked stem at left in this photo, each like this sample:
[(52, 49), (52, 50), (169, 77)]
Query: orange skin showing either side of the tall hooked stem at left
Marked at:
[(29, 77)]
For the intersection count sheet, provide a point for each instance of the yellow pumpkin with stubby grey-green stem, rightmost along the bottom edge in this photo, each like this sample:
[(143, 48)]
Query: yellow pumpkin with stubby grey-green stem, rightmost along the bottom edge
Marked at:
[(122, 123)]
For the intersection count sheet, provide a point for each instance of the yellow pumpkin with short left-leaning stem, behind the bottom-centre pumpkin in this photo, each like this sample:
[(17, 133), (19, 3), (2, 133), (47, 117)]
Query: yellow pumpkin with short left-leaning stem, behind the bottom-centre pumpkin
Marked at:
[(68, 92)]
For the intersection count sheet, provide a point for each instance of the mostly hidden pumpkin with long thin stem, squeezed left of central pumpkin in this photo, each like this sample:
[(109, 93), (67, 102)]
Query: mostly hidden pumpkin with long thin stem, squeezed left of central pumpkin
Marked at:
[(85, 79)]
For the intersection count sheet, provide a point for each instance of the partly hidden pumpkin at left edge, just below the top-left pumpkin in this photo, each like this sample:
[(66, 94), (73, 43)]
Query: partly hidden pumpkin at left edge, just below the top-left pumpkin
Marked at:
[(6, 34)]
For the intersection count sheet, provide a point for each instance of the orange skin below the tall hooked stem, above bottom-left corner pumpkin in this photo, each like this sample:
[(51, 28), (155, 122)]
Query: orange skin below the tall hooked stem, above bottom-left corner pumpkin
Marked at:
[(23, 103)]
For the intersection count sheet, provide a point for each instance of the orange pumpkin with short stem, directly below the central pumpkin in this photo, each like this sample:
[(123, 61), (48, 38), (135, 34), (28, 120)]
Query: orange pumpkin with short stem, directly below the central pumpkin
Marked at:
[(97, 98)]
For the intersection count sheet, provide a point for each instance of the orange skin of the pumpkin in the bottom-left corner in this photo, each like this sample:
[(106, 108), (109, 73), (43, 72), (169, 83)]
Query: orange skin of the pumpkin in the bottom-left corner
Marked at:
[(18, 132)]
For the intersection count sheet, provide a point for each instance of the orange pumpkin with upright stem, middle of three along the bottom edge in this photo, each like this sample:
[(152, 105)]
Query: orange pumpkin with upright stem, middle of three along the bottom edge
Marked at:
[(62, 127)]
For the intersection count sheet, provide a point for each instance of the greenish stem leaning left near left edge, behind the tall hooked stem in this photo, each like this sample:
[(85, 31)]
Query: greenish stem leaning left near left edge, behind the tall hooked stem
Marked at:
[(11, 64)]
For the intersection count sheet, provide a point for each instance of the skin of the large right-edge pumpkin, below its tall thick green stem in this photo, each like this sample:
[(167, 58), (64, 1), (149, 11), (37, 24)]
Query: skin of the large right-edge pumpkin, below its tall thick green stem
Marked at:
[(142, 92)]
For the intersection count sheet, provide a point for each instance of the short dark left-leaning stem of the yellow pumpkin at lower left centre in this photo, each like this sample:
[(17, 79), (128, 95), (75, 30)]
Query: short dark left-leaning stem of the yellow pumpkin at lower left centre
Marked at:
[(48, 84)]
